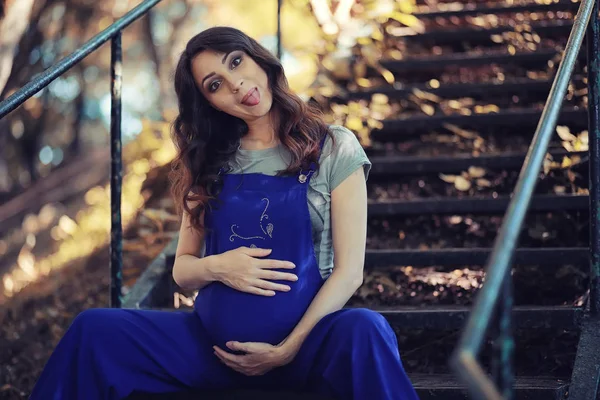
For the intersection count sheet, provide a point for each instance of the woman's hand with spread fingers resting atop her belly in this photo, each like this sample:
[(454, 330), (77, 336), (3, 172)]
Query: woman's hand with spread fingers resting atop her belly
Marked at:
[(243, 271)]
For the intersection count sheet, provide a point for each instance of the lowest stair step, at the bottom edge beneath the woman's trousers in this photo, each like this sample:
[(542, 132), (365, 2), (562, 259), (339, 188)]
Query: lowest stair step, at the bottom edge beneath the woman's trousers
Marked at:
[(428, 387)]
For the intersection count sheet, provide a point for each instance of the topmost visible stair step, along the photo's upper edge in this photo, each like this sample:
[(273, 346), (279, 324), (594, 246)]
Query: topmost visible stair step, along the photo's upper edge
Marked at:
[(446, 11)]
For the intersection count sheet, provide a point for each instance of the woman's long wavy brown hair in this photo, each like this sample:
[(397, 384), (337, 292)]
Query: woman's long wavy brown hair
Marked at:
[(206, 138)]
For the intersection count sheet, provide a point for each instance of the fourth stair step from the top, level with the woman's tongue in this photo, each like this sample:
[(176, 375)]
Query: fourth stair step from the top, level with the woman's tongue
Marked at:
[(457, 90)]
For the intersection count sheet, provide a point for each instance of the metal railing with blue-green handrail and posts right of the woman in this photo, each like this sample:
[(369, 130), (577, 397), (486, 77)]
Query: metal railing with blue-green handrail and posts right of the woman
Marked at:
[(495, 297)]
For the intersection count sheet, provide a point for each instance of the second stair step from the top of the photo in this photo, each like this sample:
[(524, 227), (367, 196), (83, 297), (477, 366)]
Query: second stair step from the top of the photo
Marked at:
[(557, 28)]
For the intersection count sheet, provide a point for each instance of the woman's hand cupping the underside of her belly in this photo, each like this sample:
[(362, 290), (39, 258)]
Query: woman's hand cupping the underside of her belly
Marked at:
[(259, 359)]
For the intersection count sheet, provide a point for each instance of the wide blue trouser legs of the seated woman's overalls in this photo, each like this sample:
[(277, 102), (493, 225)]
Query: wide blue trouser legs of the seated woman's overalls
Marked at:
[(110, 353)]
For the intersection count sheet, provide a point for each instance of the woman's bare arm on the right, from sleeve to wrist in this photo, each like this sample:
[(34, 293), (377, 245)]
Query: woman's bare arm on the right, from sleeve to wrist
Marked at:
[(349, 232)]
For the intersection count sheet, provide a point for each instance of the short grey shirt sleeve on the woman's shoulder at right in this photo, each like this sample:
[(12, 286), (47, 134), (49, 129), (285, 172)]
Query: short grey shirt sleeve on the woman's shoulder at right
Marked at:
[(343, 157)]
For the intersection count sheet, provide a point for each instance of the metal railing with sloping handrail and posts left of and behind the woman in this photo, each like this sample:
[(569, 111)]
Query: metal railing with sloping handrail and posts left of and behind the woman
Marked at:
[(40, 81)]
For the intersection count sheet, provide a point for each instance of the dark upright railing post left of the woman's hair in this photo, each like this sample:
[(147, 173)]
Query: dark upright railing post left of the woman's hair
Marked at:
[(116, 231)]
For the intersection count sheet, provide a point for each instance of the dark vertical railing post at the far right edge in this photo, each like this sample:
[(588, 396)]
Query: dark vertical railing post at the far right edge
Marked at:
[(593, 65)]
